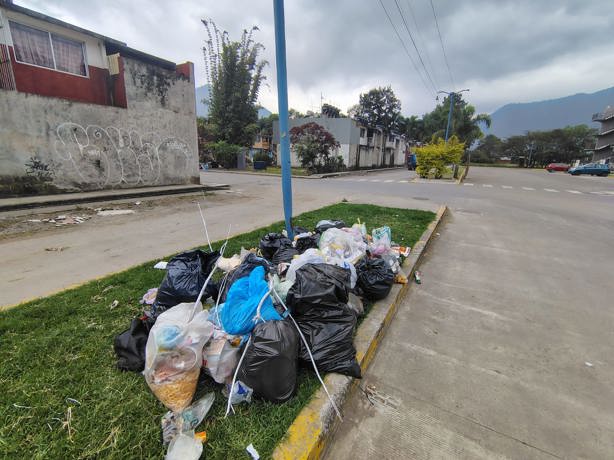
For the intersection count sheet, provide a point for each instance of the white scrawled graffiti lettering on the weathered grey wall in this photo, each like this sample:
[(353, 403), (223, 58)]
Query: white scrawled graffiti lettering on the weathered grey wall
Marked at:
[(98, 157)]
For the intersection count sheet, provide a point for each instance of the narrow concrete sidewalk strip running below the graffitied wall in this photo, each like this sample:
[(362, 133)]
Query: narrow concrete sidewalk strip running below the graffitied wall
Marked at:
[(41, 201)]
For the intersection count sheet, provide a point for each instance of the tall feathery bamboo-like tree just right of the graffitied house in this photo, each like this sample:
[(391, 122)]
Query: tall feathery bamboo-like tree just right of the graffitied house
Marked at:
[(235, 75)]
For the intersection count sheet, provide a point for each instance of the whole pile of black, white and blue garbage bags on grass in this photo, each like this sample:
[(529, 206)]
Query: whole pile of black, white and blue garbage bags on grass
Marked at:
[(248, 321)]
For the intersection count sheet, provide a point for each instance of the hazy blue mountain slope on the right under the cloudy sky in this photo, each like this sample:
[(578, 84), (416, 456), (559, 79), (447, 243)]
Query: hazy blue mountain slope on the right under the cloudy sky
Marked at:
[(514, 119)]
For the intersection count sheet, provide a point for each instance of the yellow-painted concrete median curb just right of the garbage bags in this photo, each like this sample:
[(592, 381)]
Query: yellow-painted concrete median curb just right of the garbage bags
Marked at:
[(312, 429)]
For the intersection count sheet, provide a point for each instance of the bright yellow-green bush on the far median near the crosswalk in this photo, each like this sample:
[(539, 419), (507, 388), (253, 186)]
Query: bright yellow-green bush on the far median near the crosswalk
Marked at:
[(433, 158)]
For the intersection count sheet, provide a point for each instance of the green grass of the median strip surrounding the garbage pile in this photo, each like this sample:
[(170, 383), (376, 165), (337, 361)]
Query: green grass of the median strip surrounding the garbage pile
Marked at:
[(61, 347)]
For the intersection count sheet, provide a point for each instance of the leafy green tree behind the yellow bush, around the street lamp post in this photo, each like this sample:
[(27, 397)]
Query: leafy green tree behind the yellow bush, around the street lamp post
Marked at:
[(465, 122)]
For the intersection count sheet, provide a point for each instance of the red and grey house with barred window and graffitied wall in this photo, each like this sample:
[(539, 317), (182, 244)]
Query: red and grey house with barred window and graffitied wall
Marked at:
[(81, 111)]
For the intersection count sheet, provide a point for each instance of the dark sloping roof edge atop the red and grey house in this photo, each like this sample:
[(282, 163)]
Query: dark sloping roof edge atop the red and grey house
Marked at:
[(112, 45)]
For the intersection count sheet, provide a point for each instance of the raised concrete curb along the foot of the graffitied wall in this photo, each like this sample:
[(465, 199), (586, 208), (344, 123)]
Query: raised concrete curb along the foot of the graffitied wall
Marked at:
[(63, 200)]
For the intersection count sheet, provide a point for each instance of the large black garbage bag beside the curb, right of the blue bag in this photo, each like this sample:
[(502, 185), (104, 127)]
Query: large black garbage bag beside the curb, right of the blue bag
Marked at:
[(318, 302)]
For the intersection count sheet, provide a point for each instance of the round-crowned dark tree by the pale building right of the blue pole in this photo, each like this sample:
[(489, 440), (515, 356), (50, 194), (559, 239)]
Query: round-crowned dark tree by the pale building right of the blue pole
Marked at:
[(379, 109)]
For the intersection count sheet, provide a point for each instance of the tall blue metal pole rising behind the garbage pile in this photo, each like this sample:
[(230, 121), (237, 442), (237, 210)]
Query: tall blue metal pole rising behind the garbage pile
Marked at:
[(282, 97)]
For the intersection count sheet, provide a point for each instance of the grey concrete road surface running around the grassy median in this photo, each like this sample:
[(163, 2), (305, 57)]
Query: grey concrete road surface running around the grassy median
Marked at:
[(504, 351)]
